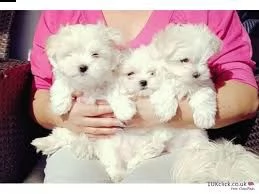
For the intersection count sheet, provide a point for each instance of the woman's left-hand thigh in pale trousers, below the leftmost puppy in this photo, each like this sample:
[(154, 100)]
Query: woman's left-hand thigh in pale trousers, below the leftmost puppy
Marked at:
[(64, 167)]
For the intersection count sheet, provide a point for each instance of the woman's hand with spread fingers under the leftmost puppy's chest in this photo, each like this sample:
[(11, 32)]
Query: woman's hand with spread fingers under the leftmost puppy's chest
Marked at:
[(95, 120)]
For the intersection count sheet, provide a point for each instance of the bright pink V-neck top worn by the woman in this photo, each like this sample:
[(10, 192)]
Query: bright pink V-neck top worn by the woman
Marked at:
[(234, 62)]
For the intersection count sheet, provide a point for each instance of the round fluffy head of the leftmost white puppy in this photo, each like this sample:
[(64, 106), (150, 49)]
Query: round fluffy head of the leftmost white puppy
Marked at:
[(85, 54)]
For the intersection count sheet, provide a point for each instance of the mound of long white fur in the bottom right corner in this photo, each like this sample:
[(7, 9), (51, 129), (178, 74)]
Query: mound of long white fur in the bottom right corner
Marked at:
[(214, 161)]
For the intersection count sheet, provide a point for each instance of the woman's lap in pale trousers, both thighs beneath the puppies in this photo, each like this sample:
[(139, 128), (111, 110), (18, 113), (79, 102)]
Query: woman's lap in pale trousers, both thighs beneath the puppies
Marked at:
[(64, 167)]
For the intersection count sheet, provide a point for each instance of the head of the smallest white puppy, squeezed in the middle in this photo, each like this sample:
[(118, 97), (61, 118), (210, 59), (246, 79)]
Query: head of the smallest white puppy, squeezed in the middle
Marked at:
[(139, 73)]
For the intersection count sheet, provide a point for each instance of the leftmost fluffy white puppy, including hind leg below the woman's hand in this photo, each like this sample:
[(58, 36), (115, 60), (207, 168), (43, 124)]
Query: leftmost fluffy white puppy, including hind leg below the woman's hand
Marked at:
[(84, 58)]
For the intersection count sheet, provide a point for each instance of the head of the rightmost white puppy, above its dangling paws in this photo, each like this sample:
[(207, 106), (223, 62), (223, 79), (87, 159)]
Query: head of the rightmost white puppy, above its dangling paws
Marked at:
[(186, 49)]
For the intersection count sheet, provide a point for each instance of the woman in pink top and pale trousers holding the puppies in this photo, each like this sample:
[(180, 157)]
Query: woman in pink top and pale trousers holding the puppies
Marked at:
[(232, 73)]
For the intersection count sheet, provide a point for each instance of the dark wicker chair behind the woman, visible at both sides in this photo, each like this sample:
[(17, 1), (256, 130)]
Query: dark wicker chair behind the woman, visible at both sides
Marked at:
[(17, 129)]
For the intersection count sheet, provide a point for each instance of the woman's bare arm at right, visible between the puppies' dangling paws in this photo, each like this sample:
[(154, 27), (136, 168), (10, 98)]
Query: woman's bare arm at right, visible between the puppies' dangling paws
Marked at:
[(236, 102)]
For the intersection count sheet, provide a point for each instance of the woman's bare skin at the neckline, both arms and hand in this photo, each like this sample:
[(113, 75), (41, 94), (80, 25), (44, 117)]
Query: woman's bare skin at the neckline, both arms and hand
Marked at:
[(236, 101)]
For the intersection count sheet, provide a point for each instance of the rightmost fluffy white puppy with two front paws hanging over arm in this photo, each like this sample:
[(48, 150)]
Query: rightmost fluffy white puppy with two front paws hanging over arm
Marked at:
[(186, 49)]
